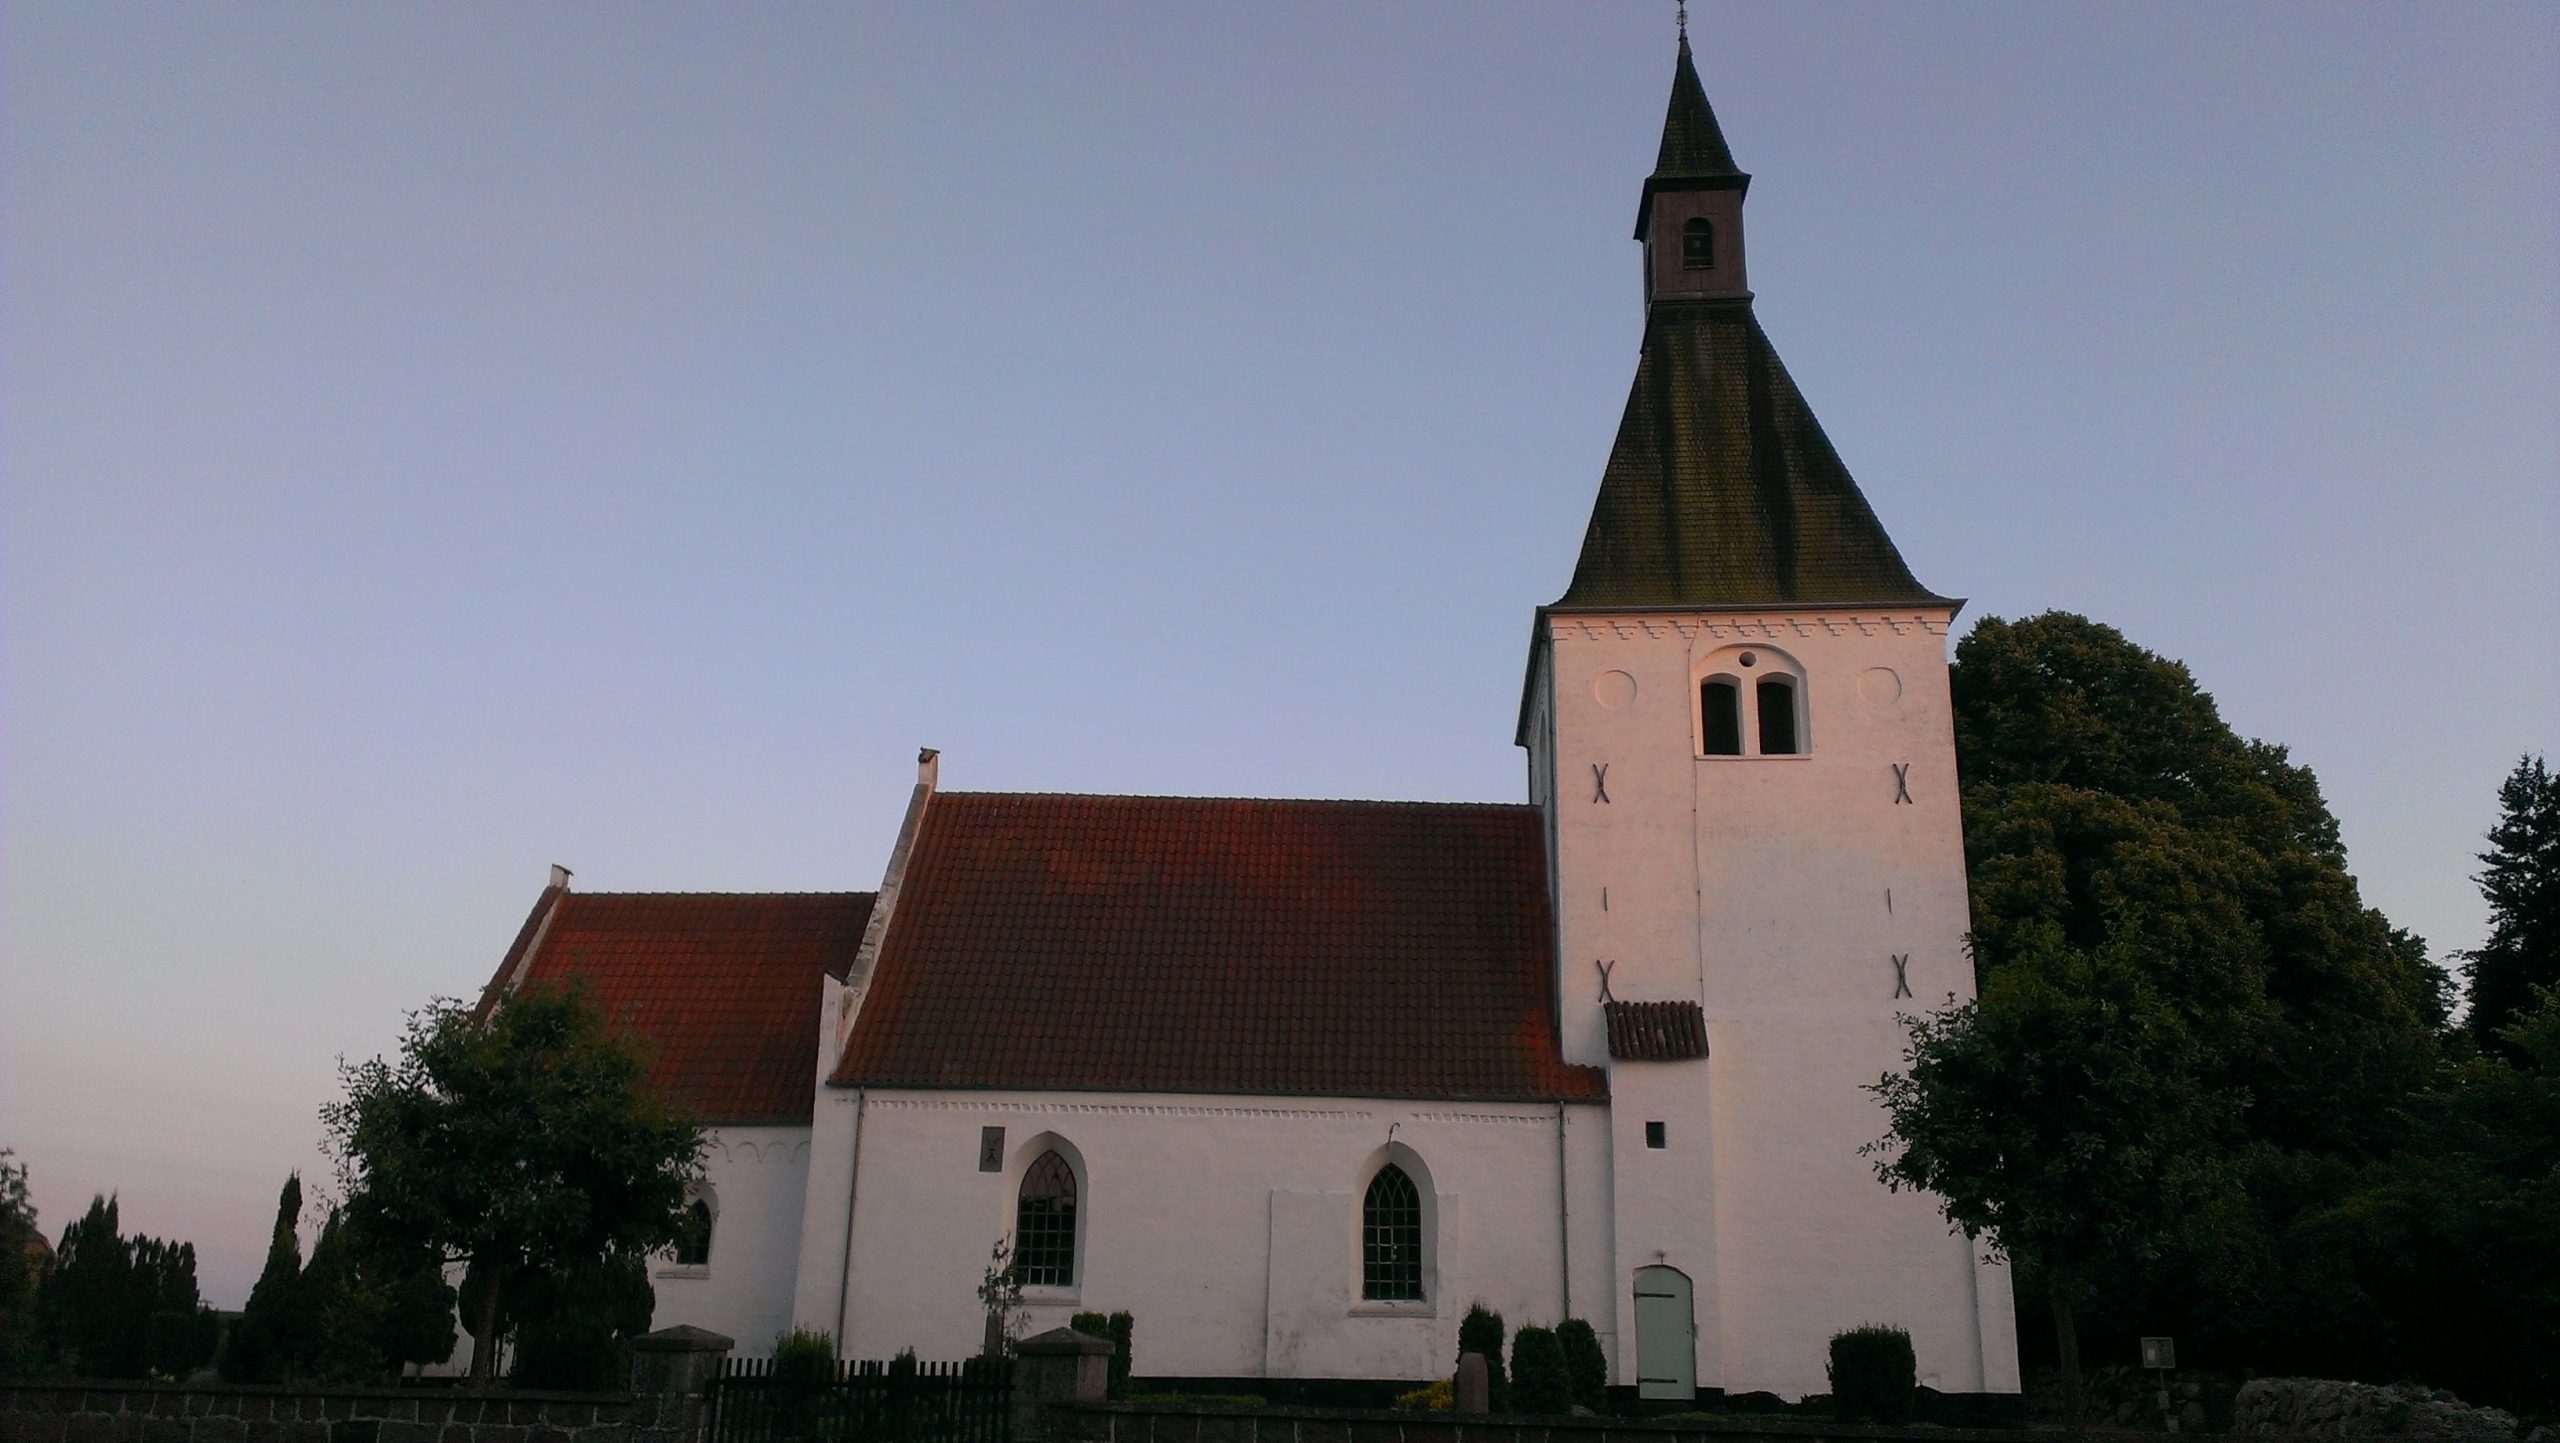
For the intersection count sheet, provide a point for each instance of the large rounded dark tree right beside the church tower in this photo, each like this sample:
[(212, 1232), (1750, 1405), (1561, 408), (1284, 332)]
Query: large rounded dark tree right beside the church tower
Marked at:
[(2157, 889)]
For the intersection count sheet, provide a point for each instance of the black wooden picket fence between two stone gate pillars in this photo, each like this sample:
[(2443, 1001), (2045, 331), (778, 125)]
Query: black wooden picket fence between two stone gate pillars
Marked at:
[(864, 1403)]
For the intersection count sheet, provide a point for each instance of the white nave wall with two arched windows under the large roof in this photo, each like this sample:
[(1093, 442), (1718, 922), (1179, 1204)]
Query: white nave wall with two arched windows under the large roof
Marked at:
[(1228, 1227)]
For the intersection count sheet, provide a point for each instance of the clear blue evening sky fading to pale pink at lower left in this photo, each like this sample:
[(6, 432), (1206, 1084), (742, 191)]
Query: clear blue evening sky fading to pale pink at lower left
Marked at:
[(454, 439)]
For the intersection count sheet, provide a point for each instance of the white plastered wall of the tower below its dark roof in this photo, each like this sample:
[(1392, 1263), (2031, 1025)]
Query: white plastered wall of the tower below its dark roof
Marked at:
[(1757, 887)]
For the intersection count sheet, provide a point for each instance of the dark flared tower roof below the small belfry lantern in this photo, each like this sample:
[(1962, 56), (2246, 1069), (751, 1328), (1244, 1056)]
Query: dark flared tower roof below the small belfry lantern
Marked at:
[(1724, 490)]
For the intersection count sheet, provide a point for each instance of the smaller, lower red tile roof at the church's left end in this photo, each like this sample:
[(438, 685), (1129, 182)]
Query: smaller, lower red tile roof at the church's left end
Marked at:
[(726, 986)]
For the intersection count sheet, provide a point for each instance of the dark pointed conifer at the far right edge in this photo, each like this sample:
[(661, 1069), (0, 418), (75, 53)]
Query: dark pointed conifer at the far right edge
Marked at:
[(2520, 876)]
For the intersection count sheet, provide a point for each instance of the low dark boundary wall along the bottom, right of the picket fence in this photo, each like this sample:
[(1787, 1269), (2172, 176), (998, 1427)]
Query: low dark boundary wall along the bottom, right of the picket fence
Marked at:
[(1207, 1424)]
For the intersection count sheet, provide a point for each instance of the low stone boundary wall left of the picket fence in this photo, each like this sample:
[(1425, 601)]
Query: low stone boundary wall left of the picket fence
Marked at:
[(247, 1414)]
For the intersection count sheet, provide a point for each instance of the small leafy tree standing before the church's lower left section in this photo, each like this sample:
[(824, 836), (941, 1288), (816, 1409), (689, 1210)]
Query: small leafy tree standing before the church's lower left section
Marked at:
[(524, 1142)]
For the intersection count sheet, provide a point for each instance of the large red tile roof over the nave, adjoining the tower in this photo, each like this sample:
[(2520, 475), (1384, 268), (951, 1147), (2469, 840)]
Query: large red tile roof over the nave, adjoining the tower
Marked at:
[(1199, 945)]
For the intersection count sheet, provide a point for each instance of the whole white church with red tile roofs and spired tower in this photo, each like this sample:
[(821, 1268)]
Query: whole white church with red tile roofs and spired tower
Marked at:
[(1299, 1081)]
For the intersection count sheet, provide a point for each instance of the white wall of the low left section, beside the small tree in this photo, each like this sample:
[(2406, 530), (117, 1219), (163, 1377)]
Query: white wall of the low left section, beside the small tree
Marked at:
[(756, 1181)]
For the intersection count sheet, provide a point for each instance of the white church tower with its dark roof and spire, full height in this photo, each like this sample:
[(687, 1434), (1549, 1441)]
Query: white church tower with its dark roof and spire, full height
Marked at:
[(1740, 733)]
